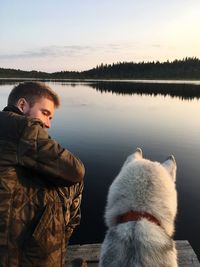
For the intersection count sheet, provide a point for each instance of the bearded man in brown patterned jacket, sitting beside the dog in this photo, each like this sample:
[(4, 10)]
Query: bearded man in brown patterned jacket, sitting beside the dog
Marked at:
[(40, 182)]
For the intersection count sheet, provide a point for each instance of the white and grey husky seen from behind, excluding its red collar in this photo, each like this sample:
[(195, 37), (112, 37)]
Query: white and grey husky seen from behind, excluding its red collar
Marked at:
[(142, 186)]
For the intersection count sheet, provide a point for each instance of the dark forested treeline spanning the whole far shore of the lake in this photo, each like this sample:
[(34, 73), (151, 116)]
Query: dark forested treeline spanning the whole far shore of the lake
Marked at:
[(187, 68)]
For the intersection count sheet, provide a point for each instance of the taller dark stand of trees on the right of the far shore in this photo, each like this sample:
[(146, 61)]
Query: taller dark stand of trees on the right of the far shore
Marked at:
[(188, 68)]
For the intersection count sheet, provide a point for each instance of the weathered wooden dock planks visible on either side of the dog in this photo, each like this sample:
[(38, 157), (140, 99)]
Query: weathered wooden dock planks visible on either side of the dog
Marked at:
[(90, 253)]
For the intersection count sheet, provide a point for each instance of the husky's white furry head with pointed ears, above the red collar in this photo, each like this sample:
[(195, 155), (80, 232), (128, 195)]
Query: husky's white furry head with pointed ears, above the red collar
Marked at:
[(145, 186)]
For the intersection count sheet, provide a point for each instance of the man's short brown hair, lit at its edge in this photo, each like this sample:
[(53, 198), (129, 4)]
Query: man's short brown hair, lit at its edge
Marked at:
[(32, 92)]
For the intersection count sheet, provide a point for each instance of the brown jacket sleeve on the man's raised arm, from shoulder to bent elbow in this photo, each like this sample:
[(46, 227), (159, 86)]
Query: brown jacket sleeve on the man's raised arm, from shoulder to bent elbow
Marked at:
[(37, 151)]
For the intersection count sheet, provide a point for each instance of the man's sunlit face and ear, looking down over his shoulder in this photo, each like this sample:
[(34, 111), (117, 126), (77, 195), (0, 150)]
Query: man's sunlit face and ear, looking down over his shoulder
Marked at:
[(43, 109)]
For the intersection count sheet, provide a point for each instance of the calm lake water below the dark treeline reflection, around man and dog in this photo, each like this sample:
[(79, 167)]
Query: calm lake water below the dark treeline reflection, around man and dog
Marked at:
[(102, 127)]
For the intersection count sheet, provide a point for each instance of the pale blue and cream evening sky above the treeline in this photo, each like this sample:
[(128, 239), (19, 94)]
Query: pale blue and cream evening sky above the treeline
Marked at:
[(76, 35)]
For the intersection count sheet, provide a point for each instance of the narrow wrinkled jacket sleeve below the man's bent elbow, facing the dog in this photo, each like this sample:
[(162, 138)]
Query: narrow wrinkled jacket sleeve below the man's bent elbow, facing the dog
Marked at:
[(75, 212)]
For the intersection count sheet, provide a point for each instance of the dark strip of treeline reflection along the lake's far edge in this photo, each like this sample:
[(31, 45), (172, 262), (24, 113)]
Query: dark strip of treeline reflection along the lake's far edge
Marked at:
[(181, 89)]
